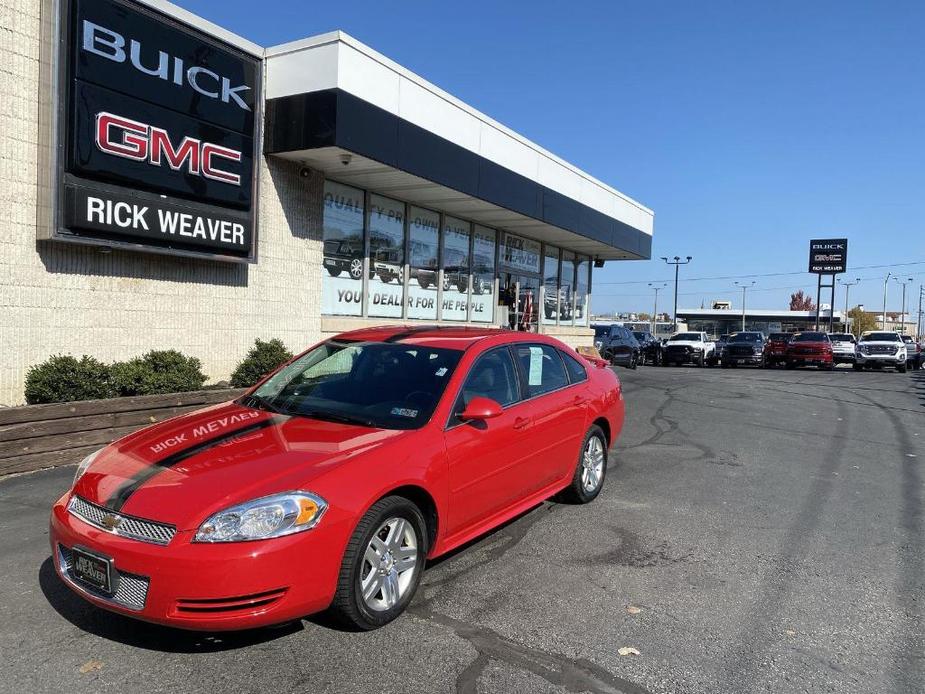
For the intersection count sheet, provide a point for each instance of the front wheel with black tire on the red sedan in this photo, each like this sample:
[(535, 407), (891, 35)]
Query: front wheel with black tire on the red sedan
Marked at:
[(382, 565)]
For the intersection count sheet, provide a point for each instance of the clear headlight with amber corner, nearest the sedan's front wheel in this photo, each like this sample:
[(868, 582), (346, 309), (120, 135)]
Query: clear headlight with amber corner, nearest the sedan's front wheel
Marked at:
[(260, 519)]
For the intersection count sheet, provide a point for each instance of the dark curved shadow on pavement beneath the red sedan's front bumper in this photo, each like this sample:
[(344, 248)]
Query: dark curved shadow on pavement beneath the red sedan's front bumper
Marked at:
[(131, 632)]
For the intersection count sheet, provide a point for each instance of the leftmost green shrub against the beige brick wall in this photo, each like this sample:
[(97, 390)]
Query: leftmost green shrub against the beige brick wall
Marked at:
[(64, 378)]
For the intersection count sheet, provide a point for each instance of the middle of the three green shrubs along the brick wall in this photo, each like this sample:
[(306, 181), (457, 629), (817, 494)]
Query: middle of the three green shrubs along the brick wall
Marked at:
[(158, 371)]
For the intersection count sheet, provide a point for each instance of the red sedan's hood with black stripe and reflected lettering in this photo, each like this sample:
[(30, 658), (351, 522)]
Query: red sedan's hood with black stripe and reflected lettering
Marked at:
[(184, 469)]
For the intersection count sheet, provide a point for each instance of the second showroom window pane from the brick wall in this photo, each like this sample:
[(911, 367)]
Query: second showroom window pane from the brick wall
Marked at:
[(386, 257)]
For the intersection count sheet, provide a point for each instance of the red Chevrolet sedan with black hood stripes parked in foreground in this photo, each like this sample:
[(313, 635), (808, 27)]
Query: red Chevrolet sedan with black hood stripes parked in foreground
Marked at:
[(330, 483)]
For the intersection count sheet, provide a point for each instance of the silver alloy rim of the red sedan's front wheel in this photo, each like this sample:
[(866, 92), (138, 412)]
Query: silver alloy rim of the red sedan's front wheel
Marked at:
[(389, 564)]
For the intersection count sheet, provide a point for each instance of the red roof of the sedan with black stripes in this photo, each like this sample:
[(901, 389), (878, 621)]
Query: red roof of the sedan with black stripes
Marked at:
[(438, 336)]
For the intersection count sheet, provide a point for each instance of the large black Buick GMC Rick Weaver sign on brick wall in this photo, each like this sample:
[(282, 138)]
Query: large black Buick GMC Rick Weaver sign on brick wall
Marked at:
[(156, 133)]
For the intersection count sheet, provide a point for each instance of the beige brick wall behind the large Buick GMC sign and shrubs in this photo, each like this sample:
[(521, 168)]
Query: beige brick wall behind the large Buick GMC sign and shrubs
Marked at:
[(63, 298)]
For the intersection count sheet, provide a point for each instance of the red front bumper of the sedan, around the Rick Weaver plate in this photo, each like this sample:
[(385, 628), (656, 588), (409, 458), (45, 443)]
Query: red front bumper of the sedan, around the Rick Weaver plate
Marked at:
[(210, 587)]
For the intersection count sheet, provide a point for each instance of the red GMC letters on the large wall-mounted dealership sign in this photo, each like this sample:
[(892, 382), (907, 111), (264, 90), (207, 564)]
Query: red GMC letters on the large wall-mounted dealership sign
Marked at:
[(132, 139)]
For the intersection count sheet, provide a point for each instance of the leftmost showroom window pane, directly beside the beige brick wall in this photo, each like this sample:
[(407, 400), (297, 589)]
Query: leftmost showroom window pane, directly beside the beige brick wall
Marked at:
[(342, 234)]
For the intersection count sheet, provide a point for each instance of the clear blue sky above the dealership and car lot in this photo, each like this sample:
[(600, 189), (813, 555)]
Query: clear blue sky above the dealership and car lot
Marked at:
[(748, 127)]
